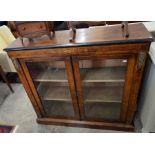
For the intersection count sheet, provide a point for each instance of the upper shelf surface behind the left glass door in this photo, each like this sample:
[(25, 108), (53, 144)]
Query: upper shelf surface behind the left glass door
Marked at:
[(50, 75)]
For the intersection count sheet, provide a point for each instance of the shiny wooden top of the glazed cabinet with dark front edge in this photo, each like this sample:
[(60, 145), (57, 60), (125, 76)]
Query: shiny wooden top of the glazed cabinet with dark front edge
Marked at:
[(93, 36)]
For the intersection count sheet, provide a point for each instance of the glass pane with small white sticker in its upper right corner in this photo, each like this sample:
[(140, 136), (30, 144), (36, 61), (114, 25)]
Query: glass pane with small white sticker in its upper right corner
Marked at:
[(102, 83)]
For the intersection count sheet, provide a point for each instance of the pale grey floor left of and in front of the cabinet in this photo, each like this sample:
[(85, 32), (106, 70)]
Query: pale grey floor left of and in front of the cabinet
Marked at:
[(16, 109)]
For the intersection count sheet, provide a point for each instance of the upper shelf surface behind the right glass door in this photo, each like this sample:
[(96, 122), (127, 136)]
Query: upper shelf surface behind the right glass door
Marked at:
[(108, 74)]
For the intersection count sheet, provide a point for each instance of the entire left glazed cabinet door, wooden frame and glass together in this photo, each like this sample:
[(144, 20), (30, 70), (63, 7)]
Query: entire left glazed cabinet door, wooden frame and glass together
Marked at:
[(52, 84)]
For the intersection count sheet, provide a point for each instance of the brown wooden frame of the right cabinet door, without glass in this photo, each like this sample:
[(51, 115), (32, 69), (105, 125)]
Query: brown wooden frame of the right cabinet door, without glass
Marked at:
[(131, 62)]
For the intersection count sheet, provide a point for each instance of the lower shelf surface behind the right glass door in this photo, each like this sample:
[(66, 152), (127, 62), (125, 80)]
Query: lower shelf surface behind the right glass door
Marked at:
[(103, 94)]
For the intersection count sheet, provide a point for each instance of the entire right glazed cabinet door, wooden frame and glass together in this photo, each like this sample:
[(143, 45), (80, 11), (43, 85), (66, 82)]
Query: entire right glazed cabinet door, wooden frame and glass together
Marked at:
[(103, 86)]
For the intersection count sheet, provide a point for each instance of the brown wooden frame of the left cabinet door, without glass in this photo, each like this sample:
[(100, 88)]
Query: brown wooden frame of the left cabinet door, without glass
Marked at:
[(70, 77)]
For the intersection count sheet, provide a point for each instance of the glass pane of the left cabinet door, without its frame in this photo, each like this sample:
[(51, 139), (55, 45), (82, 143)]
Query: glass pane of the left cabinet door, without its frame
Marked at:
[(51, 82)]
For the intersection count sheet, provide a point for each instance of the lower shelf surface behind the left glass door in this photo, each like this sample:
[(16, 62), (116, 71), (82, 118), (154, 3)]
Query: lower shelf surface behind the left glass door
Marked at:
[(56, 93)]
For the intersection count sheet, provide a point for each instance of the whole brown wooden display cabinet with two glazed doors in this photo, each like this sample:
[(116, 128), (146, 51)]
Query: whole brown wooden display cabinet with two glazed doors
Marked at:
[(93, 82)]
